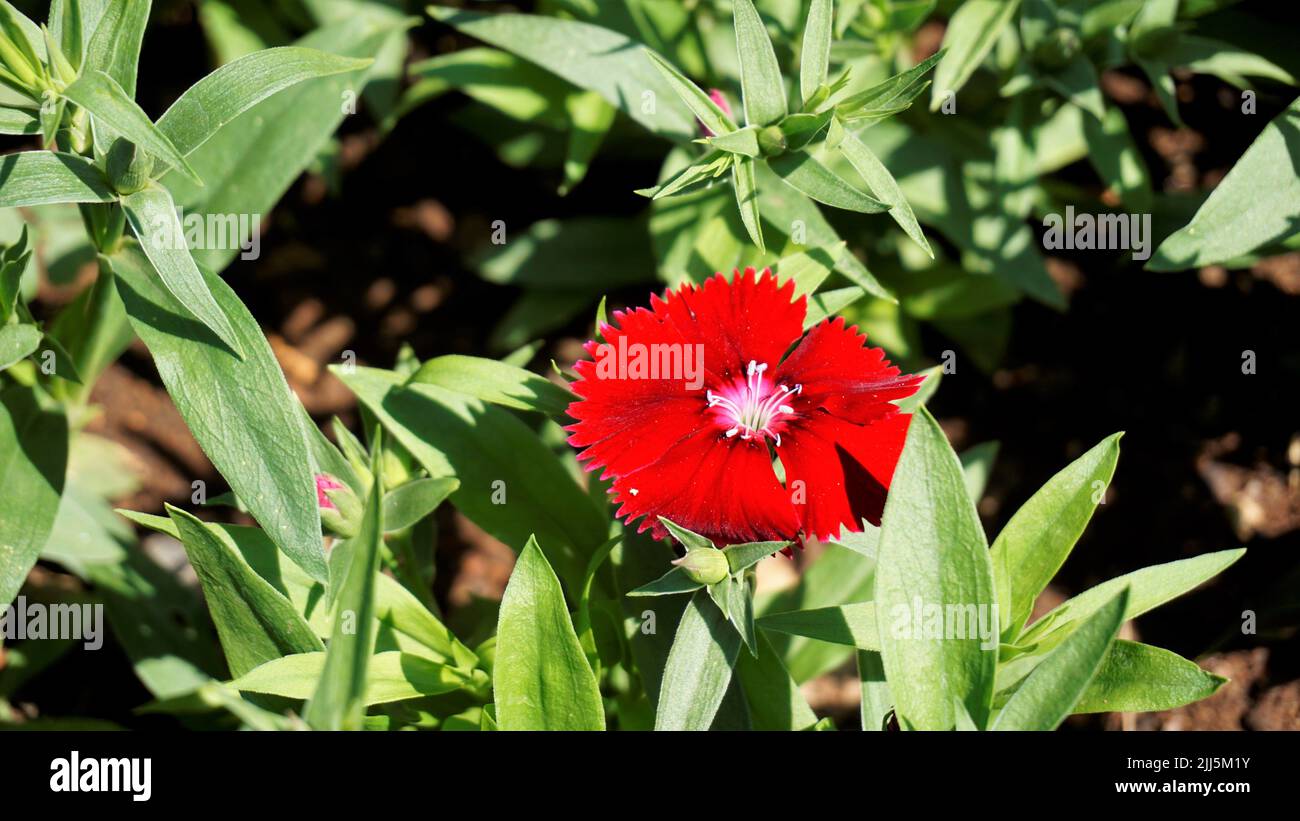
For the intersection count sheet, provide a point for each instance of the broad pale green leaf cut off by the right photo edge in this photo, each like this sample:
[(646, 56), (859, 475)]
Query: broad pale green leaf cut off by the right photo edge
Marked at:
[(1253, 208)]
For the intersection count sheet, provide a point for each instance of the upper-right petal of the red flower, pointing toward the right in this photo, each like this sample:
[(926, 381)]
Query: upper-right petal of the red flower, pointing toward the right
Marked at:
[(843, 376)]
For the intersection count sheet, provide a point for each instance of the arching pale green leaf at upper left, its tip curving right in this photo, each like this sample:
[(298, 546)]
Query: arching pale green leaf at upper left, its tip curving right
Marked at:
[(222, 97)]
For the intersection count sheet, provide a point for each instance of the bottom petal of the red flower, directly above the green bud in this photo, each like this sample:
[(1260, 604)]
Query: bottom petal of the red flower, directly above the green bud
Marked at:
[(723, 489)]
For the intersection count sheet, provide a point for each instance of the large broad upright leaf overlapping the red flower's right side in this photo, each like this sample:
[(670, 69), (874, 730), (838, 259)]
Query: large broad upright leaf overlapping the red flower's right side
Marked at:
[(933, 550)]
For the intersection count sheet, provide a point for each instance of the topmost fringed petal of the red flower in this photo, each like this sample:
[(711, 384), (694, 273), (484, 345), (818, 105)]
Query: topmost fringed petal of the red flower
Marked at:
[(747, 319)]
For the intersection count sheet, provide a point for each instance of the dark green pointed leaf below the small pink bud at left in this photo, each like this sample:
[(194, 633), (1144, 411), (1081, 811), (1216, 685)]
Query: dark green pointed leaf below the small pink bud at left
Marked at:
[(255, 623)]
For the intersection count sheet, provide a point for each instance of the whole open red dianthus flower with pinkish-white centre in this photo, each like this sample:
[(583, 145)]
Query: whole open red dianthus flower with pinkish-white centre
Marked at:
[(684, 405)]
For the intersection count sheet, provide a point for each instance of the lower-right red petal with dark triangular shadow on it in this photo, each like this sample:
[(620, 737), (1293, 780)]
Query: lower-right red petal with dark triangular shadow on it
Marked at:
[(844, 468)]
